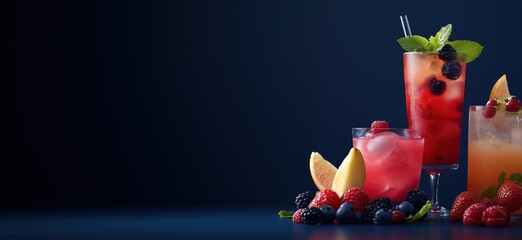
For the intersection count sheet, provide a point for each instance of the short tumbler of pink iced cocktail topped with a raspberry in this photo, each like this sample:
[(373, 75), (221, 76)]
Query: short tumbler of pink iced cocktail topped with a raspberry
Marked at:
[(393, 159)]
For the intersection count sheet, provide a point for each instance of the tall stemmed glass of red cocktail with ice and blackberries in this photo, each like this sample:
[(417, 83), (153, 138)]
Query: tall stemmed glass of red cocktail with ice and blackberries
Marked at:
[(434, 104)]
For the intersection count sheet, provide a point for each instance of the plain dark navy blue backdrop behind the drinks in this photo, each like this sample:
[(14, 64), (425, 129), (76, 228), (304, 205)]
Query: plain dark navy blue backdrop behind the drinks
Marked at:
[(213, 103)]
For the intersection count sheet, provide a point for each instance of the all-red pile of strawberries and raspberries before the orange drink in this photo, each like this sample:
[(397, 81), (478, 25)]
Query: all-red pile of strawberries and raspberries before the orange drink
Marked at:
[(470, 210)]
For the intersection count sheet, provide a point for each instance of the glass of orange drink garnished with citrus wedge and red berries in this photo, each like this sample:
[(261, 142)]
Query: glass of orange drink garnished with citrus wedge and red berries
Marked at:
[(495, 142)]
